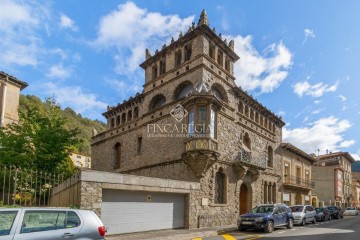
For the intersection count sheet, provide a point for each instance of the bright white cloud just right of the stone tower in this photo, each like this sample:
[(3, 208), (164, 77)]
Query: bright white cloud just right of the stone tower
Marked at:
[(266, 72)]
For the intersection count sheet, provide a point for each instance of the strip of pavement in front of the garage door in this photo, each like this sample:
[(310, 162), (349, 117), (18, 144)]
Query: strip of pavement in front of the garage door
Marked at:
[(173, 234)]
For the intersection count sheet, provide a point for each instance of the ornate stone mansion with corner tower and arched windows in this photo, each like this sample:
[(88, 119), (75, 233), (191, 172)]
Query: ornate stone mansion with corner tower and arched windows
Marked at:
[(193, 123)]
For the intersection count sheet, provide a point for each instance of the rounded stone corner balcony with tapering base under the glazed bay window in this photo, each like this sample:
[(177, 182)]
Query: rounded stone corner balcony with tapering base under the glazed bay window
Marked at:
[(200, 154)]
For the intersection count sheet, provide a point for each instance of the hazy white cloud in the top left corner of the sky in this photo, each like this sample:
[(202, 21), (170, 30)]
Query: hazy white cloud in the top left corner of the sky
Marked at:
[(19, 25)]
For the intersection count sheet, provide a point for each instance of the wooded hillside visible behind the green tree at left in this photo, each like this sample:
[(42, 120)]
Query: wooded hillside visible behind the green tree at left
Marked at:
[(74, 120)]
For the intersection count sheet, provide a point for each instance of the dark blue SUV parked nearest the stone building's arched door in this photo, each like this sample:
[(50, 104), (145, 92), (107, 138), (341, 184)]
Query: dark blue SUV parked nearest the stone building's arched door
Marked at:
[(266, 217)]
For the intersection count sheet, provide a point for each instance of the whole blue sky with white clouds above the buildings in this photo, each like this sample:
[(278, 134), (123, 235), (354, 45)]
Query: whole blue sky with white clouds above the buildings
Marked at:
[(299, 58)]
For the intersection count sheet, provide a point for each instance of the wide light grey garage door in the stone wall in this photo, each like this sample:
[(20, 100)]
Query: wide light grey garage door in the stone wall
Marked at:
[(136, 211)]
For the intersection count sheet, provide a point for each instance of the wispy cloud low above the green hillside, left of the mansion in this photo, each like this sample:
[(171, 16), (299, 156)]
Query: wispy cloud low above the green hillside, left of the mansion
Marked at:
[(74, 97)]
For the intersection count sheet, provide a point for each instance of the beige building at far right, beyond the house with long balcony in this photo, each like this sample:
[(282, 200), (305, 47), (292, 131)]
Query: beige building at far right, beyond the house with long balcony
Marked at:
[(333, 180)]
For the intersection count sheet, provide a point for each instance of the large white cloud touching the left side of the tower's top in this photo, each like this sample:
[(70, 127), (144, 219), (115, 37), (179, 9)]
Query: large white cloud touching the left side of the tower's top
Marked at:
[(130, 29)]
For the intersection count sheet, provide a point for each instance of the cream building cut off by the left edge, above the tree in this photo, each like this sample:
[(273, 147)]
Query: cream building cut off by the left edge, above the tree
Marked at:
[(10, 88)]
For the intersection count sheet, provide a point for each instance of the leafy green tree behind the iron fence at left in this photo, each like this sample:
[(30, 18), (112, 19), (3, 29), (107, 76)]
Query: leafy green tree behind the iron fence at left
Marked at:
[(39, 140)]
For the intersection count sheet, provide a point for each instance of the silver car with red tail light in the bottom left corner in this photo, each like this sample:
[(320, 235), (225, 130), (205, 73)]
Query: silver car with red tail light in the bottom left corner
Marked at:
[(50, 223)]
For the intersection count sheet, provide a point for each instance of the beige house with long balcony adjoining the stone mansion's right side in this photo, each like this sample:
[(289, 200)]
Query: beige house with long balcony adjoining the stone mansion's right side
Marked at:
[(297, 179)]
